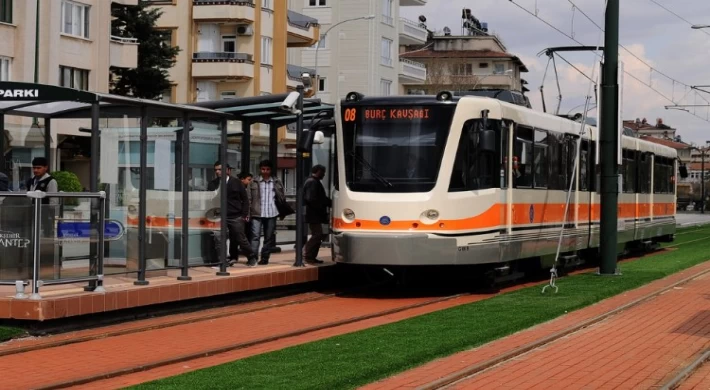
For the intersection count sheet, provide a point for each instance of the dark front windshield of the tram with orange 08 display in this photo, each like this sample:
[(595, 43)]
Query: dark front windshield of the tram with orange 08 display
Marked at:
[(394, 149)]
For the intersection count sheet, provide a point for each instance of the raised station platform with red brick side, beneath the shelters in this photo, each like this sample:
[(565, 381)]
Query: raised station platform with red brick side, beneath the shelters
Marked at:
[(70, 300)]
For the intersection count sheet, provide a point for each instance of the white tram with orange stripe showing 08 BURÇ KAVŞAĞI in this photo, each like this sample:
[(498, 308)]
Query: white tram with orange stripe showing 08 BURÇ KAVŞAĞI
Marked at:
[(449, 180)]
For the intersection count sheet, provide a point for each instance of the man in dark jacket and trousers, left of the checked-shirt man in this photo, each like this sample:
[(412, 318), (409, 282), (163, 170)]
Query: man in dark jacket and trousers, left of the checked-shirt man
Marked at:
[(237, 214)]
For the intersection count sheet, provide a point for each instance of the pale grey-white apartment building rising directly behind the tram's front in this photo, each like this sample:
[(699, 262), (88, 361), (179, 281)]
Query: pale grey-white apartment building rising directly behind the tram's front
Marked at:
[(359, 54)]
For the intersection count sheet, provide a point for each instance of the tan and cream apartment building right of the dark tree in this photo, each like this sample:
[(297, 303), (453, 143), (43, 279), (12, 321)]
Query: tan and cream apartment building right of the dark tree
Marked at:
[(233, 48)]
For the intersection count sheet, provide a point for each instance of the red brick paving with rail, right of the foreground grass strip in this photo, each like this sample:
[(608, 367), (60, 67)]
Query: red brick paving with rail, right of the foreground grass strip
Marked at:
[(687, 331)]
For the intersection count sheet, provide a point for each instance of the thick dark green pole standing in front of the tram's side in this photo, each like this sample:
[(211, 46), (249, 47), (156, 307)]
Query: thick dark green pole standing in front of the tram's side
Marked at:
[(609, 140)]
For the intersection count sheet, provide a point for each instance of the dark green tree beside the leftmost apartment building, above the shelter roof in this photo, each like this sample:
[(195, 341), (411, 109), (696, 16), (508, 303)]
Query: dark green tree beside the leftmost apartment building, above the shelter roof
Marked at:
[(155, 57)]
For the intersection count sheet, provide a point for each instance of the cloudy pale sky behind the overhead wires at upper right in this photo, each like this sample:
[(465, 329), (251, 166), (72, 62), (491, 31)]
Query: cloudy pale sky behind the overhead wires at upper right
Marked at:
[(678, 54)]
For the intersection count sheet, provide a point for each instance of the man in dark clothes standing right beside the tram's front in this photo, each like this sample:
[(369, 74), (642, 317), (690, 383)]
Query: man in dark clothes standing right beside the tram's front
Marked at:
[(317, 203)]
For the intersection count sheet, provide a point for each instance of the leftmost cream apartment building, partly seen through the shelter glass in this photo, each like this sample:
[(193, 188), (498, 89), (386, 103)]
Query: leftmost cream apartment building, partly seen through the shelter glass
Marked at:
[(75, 49)]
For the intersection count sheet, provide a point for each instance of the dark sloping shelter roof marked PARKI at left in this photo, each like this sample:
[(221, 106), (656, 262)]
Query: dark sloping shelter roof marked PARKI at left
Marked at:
[(49, 102)]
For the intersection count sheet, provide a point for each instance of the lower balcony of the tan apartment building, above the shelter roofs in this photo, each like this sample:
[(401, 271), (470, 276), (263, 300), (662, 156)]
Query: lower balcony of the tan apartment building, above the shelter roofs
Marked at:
[(222, 66)]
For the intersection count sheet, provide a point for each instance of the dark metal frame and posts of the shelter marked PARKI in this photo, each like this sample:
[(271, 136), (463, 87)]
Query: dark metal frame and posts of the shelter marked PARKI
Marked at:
[(52, 102)]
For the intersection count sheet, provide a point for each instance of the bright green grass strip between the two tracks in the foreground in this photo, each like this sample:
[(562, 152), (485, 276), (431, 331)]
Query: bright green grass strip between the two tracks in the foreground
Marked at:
[(355, 359)]
